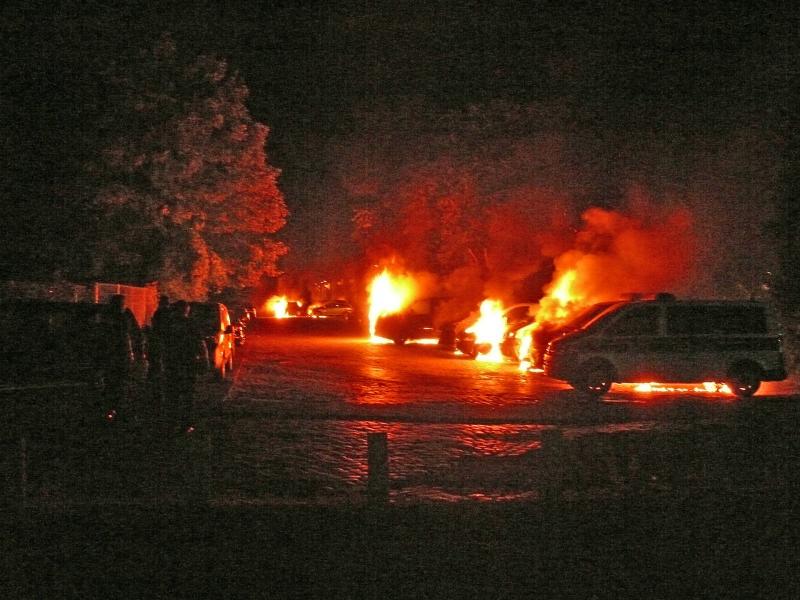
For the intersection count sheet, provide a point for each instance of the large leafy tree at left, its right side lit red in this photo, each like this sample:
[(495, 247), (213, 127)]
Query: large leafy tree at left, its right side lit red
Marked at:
[(182, 187)]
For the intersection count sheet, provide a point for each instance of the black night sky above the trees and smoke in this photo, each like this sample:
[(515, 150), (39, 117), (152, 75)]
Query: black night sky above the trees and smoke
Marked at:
[(633, 67)]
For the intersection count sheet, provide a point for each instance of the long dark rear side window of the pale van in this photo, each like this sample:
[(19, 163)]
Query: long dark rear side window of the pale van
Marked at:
[(716, 320)]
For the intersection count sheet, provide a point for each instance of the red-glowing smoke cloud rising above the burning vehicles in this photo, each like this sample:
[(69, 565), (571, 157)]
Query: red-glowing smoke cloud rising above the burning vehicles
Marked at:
[(496, 199)]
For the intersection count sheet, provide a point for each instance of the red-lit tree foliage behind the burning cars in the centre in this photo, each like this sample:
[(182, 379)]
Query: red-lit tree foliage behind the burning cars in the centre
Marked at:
[(473, 194)]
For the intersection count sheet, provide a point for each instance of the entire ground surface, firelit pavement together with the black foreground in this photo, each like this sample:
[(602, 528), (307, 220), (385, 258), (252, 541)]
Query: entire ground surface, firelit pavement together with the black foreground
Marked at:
[(500, 485)]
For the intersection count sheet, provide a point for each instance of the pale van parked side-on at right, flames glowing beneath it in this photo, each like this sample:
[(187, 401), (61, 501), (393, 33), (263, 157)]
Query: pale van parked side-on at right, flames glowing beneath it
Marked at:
[(669, 340)]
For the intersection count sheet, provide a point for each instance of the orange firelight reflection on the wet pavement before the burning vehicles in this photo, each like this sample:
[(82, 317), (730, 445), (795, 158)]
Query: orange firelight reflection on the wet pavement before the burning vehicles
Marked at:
[(299, 413)]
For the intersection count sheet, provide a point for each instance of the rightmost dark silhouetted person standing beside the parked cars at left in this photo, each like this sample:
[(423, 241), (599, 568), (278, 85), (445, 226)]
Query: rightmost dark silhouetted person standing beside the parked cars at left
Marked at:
[(181, 353)]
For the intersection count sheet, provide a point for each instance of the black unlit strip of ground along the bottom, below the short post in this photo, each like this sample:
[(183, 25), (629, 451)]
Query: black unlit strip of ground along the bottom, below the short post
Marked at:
[(649, 546)]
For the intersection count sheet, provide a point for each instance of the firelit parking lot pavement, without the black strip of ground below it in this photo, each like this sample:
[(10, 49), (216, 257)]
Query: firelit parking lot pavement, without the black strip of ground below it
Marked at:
[(297, 413)]
